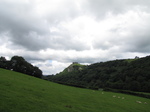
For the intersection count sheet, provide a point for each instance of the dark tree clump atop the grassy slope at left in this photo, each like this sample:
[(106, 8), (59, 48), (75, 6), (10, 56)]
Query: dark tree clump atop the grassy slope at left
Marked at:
[(19, 64)]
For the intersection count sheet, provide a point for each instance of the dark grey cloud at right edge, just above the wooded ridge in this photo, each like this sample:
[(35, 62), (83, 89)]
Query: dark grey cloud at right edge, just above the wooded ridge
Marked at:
[(139, 38)]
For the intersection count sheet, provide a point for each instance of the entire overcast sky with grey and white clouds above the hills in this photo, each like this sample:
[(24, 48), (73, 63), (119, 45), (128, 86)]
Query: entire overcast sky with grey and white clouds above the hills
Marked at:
[(51, 34)]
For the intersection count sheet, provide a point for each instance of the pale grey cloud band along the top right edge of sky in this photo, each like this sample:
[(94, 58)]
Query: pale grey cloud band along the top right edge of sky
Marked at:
[(100, 8)]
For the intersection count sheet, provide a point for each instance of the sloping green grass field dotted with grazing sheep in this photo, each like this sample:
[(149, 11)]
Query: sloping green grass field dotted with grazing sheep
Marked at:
[(22, 93)]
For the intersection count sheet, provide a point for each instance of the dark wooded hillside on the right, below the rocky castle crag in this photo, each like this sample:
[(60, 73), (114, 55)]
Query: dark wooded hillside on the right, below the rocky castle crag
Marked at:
[(125, 74)]
